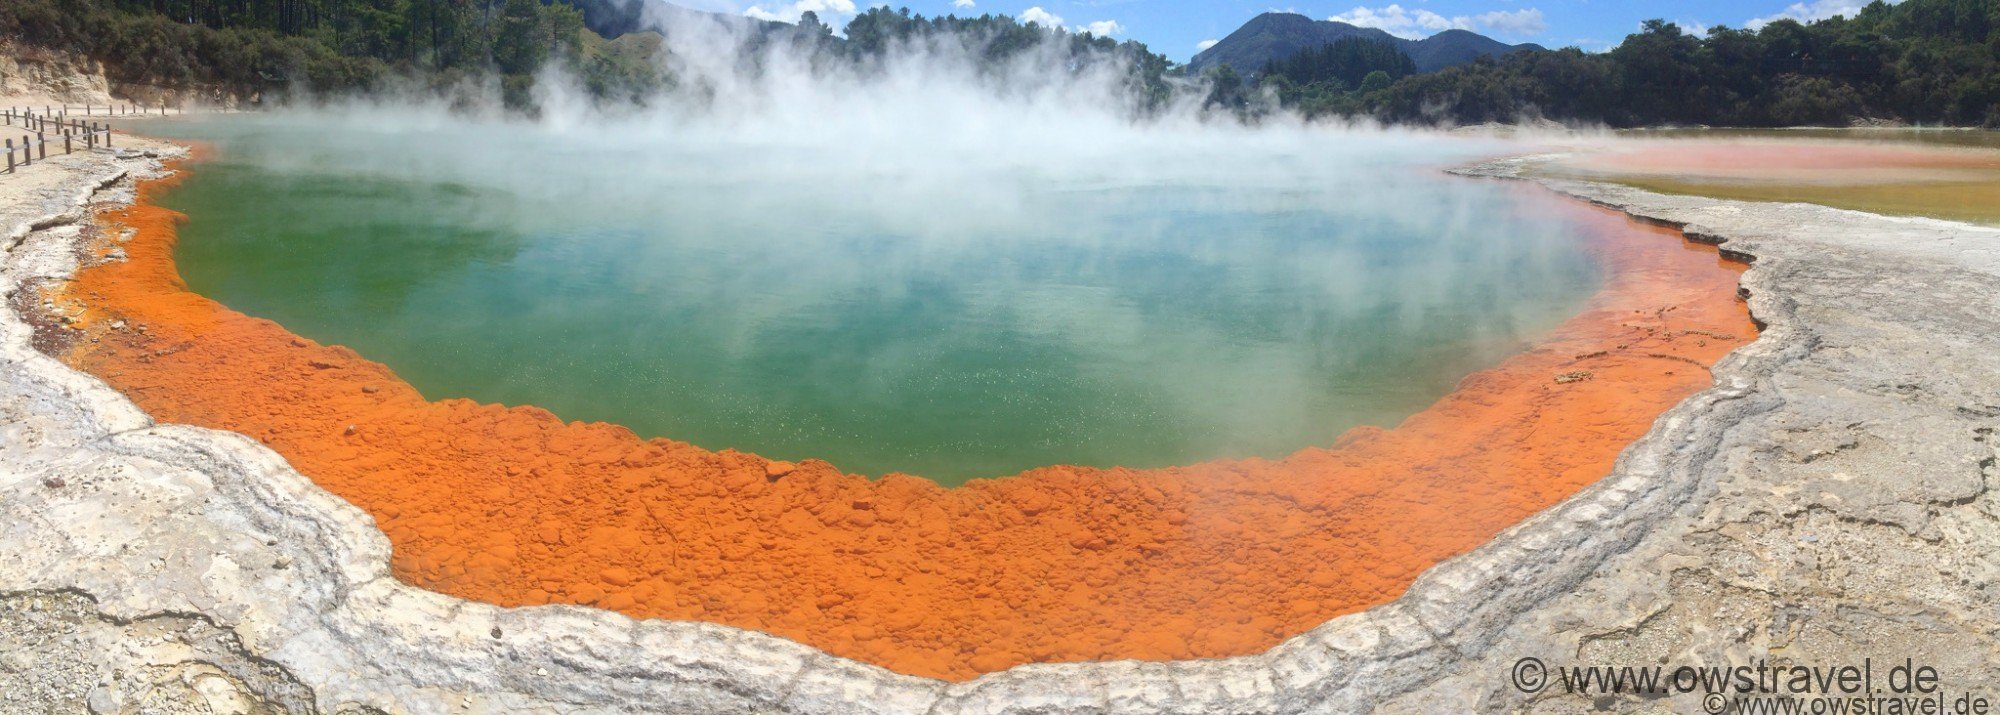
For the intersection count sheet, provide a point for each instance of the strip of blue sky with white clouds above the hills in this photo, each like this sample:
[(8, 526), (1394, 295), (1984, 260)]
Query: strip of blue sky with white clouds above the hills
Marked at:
[(1179, 27)]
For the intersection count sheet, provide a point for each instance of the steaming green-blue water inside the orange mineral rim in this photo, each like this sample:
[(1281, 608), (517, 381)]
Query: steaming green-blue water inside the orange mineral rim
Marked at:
[(955, 317)]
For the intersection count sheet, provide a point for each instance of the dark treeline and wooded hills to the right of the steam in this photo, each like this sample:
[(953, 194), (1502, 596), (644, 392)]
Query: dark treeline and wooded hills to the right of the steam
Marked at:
[(1921, 61)]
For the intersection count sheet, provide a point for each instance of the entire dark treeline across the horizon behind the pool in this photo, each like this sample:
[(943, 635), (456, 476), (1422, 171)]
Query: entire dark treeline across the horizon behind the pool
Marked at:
[(1921, 61)]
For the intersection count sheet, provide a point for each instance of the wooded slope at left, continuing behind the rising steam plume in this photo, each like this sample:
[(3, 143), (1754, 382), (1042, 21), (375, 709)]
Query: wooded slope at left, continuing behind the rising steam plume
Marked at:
[(267, 49)]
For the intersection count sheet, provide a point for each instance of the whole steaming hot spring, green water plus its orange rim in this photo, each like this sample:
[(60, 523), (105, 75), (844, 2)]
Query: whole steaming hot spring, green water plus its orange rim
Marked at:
[(1167, 333)]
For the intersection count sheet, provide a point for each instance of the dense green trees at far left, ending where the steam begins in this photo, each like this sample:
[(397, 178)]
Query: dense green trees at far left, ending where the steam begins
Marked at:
[(247, 49)]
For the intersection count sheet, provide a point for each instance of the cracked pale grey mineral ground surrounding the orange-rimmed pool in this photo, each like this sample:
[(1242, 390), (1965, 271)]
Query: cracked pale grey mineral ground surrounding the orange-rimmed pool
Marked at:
[(1827, 500)]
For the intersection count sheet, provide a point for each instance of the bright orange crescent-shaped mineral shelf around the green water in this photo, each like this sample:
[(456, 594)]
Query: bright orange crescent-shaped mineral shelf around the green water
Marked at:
[(1061, 564)]
